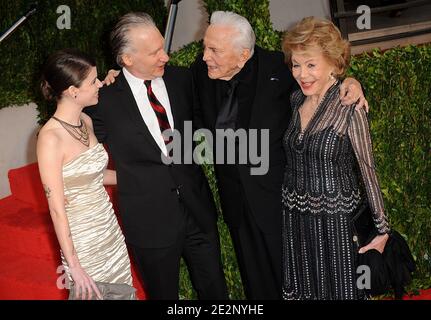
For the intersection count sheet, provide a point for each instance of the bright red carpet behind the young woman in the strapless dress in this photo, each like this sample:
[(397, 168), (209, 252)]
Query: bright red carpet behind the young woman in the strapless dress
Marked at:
[(29, 251)]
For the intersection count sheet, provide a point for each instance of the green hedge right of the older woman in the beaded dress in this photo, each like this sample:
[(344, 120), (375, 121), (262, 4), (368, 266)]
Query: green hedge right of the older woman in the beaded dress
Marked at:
[(398, 88)]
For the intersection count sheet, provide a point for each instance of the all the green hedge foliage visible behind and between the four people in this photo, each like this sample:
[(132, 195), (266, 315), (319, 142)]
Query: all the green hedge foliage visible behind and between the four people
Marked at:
[(397, 85)]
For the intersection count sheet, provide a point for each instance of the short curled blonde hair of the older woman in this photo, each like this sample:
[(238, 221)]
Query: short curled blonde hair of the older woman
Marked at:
[(312, 32)]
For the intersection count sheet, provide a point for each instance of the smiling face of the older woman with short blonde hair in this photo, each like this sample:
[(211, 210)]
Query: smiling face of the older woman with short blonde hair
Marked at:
[(312, 71)]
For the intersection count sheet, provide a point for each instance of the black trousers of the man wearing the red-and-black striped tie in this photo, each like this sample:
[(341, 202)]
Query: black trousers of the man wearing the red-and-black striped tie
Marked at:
[(160, 267)]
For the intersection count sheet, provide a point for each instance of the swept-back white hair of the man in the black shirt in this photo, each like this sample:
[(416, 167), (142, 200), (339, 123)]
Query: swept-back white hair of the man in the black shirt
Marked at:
[(245, 38)]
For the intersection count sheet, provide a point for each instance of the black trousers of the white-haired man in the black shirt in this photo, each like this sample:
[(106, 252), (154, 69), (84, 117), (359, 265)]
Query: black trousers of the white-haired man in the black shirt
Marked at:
[(259, 259)]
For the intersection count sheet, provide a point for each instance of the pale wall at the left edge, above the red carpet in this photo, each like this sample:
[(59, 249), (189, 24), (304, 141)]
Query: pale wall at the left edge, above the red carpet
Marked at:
[(18, 128)]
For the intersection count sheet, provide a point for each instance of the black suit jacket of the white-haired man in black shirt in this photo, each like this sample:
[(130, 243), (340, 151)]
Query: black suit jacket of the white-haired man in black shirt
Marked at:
[(270, 110)]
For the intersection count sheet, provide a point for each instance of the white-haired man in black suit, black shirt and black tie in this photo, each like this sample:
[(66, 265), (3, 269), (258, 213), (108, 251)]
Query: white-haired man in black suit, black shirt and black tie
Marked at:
[(242, 86)]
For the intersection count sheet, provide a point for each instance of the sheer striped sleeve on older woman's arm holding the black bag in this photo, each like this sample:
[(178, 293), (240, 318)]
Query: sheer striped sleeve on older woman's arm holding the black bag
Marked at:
[(359, 135)]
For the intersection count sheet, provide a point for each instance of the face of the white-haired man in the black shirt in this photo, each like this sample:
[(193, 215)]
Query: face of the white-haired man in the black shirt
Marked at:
[(223, 58)]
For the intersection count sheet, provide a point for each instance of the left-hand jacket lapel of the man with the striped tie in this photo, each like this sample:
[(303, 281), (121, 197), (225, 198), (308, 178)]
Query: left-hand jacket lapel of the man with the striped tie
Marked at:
[(129, 104)]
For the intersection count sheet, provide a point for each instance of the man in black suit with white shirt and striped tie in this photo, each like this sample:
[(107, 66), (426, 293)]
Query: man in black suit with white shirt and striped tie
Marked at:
[(167, 209)]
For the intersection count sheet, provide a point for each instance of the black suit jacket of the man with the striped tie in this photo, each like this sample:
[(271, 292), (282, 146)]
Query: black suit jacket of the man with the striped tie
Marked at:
[(152, 195)]
